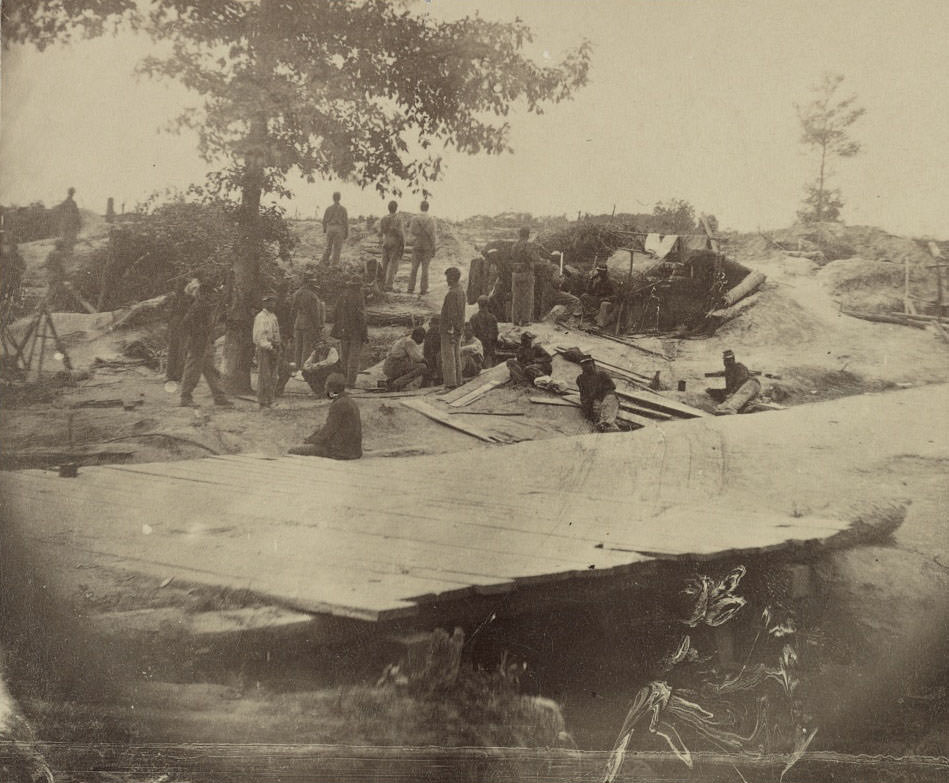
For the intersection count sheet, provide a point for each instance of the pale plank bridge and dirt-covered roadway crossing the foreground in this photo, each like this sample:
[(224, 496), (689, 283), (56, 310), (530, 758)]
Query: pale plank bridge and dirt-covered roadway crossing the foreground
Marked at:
[(380, 539)]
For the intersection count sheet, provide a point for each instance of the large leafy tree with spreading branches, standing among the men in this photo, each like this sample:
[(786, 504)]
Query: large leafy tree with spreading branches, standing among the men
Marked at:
[(361, 90)]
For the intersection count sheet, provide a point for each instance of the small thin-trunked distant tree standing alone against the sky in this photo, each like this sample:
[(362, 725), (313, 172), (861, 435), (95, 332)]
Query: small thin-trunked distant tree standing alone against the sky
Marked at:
[(825, 123)]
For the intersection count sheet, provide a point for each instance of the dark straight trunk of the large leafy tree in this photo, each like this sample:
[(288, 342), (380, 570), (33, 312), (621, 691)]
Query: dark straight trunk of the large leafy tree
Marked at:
[(243, 293)]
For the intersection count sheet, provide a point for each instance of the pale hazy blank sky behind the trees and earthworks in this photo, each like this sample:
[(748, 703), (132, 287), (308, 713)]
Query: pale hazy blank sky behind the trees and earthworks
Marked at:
[(690, 99)]
